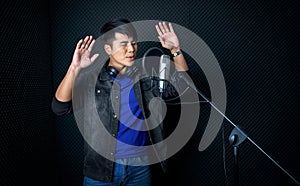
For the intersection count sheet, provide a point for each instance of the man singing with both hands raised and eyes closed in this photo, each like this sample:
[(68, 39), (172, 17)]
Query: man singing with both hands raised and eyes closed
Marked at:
[(116, 114)]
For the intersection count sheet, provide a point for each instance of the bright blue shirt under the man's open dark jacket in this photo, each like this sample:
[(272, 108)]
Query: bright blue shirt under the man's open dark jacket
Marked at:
[(132, 128)]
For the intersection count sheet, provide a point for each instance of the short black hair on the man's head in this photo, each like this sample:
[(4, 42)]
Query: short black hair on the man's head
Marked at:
[(119, 25)]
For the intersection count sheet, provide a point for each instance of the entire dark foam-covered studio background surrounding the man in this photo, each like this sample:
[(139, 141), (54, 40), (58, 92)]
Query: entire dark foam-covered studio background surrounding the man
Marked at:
[(256, 44)]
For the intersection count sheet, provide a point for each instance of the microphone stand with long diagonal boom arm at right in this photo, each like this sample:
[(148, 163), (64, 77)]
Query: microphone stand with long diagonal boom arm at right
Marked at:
[(237, 136)]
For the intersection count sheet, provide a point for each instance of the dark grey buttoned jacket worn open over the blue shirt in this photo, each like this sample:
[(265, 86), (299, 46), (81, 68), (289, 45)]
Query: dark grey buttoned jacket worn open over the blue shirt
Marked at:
[(97, 101)]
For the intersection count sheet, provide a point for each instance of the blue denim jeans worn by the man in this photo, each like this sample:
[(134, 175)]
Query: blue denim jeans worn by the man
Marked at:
[(125, 174)]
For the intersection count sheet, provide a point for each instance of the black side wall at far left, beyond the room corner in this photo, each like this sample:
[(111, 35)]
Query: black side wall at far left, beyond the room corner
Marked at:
[(27, 133)]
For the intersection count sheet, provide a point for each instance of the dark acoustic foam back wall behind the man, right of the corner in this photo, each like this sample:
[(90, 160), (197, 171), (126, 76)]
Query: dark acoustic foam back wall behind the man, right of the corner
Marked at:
[(255, 44)]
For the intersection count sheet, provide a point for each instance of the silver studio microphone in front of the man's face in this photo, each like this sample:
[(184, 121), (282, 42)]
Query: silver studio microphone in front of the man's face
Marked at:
[(164, 72)]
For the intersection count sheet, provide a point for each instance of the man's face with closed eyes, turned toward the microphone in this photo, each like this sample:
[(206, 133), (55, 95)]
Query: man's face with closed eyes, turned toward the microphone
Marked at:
[(122, 51)]
